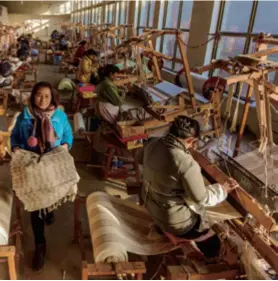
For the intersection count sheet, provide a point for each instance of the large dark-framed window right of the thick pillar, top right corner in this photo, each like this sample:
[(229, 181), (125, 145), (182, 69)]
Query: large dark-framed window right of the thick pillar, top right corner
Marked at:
[(238, 24)]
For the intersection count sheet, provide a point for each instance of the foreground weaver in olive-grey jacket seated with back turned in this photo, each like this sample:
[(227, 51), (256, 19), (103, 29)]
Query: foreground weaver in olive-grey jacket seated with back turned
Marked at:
[(174, 192)]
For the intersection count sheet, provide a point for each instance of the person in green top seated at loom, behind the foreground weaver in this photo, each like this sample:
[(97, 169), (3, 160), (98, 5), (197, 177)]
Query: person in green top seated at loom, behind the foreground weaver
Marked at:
[(110, 98)]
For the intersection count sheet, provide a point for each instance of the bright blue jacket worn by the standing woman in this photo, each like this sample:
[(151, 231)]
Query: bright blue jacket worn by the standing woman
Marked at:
[(24, 127)]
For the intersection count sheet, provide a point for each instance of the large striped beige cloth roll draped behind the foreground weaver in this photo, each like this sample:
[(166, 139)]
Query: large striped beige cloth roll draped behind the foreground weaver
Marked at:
[(119, 226)]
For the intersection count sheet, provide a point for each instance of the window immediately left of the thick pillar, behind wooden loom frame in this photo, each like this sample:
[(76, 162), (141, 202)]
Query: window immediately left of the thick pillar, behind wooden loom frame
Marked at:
[(180, 18)]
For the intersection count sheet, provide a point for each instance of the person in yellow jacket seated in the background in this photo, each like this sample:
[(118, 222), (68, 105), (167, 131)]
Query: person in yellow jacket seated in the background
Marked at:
[(88, 68)]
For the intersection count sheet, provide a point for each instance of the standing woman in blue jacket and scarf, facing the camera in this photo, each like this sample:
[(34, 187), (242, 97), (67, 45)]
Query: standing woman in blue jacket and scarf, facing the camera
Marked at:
[(41, 127)]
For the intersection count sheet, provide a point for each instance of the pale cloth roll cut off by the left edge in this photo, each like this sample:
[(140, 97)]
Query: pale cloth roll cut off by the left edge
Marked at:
[(6, 200)]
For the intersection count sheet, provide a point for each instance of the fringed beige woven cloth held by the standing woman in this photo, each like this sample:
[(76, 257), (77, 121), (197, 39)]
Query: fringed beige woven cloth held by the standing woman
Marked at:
[(44, 182)]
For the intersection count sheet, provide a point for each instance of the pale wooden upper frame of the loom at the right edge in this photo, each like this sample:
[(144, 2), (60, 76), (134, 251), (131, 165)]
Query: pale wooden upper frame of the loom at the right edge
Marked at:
[(253, 70)]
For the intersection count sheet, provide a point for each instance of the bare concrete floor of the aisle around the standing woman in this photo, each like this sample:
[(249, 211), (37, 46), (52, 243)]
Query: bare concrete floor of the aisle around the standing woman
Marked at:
[(63, 258)]
